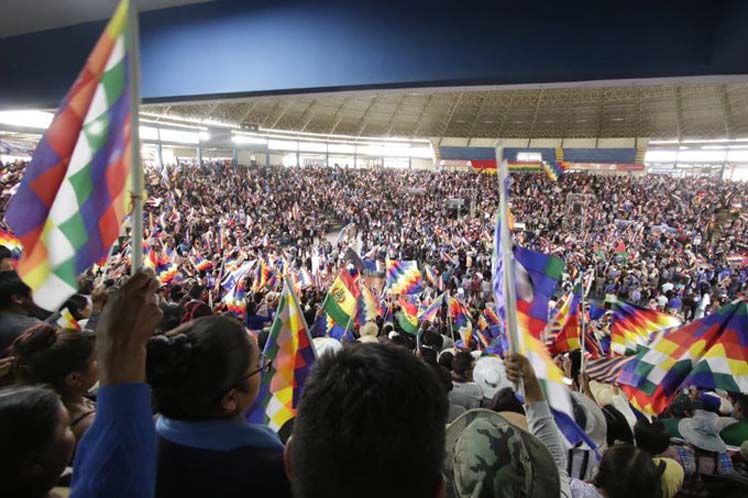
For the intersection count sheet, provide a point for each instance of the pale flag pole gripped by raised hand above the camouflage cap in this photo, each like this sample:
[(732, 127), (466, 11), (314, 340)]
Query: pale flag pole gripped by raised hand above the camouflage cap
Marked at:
[(507, 254)]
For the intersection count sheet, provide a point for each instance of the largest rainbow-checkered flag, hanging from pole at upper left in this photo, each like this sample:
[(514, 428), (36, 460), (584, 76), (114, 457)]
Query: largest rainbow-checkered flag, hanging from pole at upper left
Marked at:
[(75, 194)]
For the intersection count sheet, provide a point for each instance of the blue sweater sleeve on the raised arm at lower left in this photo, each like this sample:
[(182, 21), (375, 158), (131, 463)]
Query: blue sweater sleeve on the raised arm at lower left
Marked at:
[(117, 455)]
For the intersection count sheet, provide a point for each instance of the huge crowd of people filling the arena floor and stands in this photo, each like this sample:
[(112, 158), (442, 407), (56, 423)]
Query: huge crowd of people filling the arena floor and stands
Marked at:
[(383, 413)]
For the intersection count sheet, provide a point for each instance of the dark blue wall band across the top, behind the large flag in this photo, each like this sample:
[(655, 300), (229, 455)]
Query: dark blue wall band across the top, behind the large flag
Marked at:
[(230, 47)]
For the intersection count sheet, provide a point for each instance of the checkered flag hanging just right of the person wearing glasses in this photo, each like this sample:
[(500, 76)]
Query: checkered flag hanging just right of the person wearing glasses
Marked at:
[(291, 352)]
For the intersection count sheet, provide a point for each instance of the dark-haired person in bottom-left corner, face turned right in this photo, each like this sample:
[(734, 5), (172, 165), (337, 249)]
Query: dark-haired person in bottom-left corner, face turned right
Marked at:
[(36, 441)]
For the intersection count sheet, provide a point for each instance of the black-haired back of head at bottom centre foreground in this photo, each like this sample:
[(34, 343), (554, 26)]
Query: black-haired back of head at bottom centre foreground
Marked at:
[(372, 420)]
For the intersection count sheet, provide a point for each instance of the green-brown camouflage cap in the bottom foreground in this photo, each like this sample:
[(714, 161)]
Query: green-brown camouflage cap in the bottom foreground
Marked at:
[(487, 456)]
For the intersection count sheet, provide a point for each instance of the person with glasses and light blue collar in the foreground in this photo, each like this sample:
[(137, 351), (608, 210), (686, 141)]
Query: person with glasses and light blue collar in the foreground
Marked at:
[(205, 375)]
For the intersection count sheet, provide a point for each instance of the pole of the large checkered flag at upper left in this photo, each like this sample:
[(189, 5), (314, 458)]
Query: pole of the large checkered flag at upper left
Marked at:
[(133, 41)]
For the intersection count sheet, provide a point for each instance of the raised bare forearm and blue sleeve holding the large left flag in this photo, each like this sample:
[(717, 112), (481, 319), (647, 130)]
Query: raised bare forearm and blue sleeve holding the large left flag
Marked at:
[(117, 455)]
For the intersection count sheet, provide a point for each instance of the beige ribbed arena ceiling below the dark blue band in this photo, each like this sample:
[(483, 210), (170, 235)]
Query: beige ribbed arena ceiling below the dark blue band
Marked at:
[(656, 111)]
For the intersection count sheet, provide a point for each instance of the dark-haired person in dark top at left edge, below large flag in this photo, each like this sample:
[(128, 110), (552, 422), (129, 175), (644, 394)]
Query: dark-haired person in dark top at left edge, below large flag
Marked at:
[(16, 306)]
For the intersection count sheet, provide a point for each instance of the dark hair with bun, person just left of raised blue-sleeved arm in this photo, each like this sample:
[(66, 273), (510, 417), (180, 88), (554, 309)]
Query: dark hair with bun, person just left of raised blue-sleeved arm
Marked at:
[(45, 354)]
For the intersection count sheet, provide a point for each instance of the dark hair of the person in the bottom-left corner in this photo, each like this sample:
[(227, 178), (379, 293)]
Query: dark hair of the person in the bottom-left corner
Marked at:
[(28, 419)]
